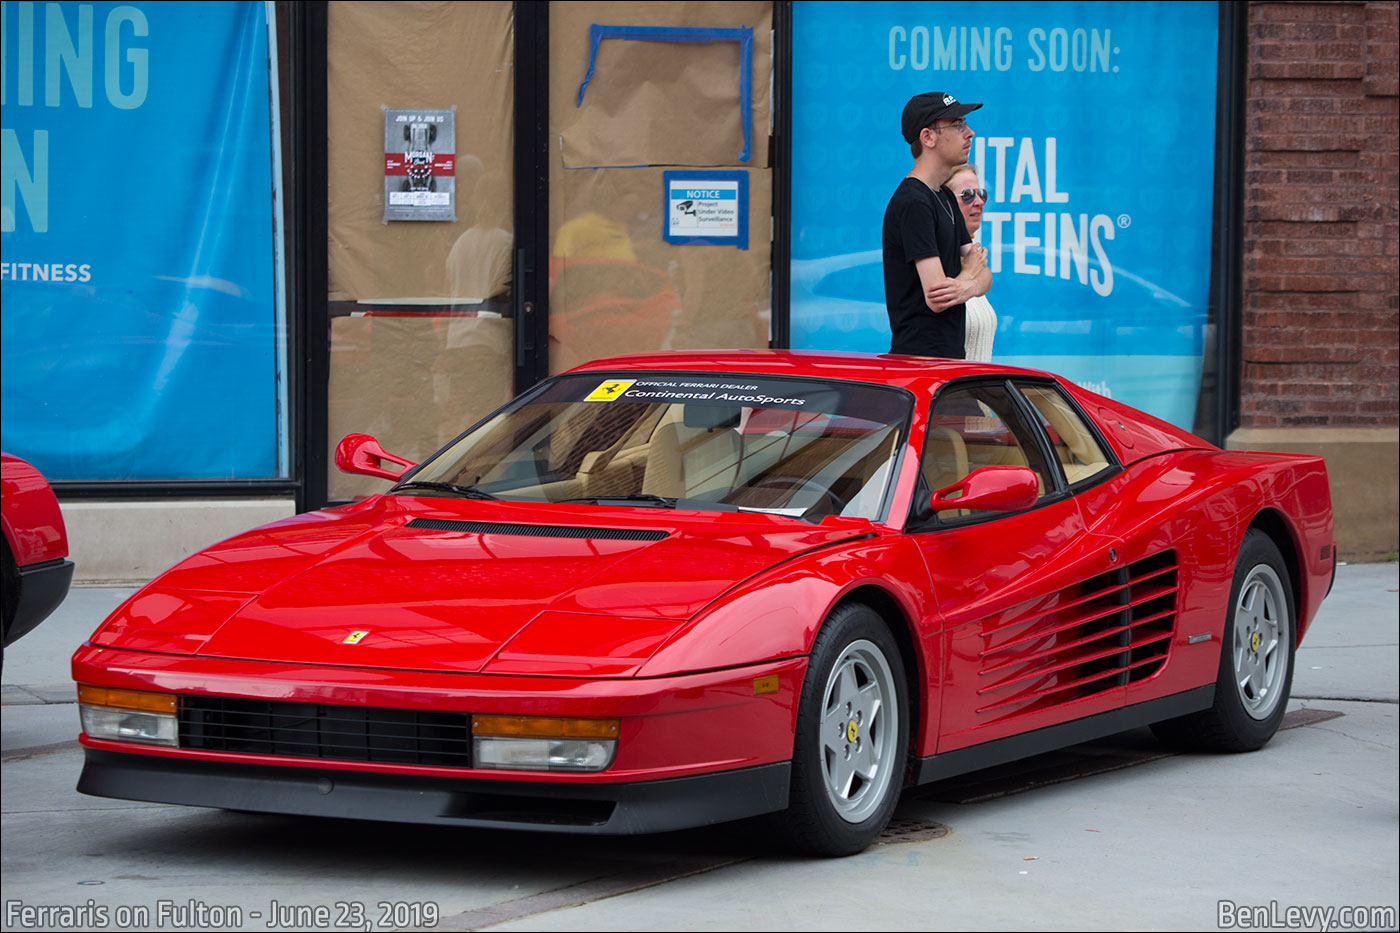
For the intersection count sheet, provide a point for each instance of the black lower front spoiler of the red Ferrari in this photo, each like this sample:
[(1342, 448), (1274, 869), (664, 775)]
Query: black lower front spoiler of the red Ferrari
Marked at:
[(656, 806)]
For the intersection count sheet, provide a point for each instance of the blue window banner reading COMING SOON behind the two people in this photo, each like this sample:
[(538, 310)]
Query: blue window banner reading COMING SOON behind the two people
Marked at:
[(1097, 142)]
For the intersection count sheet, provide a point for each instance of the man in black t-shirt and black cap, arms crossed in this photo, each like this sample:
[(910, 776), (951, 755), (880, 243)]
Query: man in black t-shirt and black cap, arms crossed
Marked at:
[(932, 265)]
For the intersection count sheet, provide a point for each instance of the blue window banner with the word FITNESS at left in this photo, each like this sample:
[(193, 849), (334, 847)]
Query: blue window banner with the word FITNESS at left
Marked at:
[(138, 302)]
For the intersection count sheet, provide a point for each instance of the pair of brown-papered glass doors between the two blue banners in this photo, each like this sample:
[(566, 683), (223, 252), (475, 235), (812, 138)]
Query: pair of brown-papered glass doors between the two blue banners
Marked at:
[(496, 215)]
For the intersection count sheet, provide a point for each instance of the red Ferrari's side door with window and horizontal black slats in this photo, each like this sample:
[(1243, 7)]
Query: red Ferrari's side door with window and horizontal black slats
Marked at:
[(1028, 597)]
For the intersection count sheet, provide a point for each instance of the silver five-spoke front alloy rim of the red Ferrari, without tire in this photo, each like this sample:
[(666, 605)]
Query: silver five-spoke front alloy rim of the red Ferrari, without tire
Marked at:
[(860, 725)]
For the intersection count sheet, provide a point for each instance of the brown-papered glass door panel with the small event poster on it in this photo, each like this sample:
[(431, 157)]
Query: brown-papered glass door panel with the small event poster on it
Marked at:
[(421, 233)]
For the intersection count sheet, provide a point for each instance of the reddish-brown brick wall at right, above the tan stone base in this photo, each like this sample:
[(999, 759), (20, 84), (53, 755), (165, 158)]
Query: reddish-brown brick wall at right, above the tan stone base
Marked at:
[(1321, 216)]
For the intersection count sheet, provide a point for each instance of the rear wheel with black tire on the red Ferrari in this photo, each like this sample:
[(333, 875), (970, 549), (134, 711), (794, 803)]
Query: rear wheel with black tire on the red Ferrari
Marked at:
[(1256, 672)]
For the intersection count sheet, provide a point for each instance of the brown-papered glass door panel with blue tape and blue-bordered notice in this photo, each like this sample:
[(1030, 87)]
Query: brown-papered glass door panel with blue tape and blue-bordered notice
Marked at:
[(666, 102)]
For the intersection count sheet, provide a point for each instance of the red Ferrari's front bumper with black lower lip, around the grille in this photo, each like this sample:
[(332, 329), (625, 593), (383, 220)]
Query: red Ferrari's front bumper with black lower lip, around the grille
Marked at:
[(694, 749)]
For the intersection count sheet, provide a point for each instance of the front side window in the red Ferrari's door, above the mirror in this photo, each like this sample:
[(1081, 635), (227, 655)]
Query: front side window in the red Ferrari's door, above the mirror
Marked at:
[(974, 428)]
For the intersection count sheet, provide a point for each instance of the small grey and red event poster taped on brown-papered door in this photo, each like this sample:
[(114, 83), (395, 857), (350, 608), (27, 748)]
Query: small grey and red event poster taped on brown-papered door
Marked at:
[(419, 165)]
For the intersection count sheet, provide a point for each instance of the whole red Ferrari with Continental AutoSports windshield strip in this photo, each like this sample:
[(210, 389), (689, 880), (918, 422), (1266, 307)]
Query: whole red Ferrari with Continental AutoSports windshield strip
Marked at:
[(670, 590)]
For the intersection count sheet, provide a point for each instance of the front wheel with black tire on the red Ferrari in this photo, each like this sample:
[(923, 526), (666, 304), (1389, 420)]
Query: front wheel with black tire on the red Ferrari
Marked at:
[(855, 682)]
